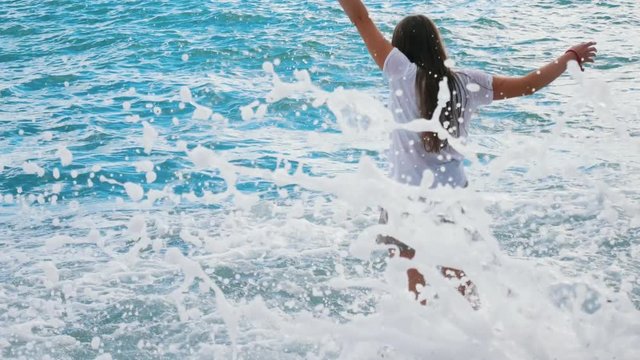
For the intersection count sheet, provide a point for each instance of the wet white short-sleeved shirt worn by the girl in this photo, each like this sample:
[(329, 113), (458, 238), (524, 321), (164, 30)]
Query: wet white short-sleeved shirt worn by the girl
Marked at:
[(407, 155)]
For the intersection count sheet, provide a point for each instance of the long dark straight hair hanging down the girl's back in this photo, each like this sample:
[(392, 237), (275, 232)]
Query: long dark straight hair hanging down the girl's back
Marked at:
[(418, 38)]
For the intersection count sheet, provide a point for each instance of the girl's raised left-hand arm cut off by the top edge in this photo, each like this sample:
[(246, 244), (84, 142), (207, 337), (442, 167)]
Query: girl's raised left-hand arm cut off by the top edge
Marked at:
[(378, 46)]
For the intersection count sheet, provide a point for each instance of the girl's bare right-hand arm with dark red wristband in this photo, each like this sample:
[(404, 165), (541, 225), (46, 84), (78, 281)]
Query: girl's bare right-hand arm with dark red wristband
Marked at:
[(509, 87)]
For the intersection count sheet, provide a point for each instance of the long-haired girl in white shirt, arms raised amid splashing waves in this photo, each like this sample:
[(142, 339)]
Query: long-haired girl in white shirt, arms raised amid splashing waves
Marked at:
[(414, 62)]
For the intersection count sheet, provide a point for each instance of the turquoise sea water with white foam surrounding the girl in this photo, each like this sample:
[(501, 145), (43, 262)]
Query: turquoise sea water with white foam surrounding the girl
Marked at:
[(282, 265)]
